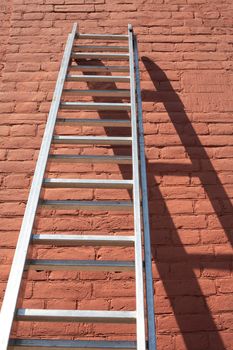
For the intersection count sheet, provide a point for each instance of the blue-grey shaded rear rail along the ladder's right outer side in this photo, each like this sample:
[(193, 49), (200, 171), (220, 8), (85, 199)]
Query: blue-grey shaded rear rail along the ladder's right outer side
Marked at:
[(145, 210)]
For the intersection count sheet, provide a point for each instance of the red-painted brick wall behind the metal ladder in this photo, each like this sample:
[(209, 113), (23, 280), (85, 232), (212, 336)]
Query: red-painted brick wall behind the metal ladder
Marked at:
[(186, 71)]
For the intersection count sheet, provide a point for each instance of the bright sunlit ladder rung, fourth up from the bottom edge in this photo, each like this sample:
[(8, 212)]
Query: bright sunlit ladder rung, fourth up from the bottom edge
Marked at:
[(85, 240)]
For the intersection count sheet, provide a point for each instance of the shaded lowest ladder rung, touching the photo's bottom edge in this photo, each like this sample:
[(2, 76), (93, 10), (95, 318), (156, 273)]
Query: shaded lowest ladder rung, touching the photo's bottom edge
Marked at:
[(55, 344)]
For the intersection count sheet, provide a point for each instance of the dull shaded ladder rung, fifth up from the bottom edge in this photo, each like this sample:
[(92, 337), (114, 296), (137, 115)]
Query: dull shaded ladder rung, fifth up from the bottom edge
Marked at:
[(87, 205)]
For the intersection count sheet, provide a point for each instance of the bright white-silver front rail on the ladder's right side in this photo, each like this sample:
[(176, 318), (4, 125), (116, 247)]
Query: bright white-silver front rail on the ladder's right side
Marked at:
[(140, 326)]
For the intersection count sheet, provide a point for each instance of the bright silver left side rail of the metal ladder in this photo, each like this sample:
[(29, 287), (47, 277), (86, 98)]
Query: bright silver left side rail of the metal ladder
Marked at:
[(13, 286)]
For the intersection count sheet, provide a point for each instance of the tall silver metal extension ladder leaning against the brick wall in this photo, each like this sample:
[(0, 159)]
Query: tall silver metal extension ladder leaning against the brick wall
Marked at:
[(9, 310)]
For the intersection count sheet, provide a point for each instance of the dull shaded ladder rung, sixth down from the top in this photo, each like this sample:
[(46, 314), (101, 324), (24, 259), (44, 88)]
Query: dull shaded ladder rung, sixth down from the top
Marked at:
[(110, 93)]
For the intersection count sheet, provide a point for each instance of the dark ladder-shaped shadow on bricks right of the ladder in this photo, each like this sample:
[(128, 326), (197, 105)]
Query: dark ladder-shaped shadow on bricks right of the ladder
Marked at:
[(178, 270)]
